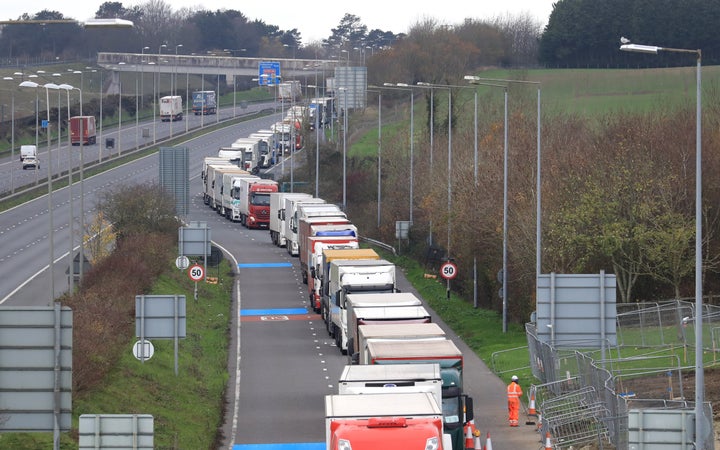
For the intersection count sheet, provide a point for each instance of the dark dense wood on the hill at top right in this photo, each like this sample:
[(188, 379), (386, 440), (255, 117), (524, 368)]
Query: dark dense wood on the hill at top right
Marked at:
[(586, 33)]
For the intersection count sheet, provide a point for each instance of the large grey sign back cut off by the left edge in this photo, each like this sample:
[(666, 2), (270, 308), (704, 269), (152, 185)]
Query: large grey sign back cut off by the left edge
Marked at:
[(35, 369)]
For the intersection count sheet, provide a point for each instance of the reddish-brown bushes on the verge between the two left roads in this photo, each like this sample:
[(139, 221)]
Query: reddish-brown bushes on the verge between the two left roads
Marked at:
[(104, 306)]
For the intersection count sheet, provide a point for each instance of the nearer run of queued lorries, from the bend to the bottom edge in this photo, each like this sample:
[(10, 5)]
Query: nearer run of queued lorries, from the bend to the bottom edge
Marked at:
[(402, 386)]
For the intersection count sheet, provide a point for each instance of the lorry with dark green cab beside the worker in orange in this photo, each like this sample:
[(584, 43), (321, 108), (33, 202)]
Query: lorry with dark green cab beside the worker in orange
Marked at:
[(457, 407)]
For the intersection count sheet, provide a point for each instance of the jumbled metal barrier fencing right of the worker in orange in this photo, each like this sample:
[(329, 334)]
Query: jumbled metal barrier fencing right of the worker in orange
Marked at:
[(585, 390)]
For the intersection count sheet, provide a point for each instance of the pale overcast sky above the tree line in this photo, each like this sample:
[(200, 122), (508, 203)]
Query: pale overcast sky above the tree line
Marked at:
[(315, 19)]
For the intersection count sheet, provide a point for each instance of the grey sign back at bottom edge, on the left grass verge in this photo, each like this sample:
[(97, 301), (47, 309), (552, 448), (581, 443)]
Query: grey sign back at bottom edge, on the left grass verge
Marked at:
[(134, 431)]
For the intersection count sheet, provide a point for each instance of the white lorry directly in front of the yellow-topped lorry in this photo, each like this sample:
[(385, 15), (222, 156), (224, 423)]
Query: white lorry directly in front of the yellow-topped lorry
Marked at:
[(350, 277)]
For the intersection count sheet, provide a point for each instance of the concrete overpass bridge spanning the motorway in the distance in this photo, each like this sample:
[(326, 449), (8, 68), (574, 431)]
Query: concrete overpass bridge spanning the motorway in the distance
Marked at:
[(229, 66)]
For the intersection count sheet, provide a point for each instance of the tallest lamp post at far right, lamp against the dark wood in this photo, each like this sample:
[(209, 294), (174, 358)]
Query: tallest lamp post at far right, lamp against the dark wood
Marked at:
[(699, 367)]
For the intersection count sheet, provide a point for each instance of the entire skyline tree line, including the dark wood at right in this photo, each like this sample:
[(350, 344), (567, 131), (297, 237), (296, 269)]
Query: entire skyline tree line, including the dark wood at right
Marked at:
[(579, 33)]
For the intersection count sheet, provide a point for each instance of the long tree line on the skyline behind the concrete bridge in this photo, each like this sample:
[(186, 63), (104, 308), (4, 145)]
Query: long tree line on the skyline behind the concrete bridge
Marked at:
[(198, 30)]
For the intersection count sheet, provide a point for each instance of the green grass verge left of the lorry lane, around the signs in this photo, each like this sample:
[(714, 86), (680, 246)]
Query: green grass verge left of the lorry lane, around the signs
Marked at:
[(187, 408)]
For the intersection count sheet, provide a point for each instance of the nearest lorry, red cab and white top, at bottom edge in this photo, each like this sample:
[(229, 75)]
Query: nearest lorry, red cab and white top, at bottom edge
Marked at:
[(384, 422)]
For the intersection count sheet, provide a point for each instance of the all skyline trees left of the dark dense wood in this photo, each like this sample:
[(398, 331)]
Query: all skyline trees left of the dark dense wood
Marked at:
[(200, 31)]
